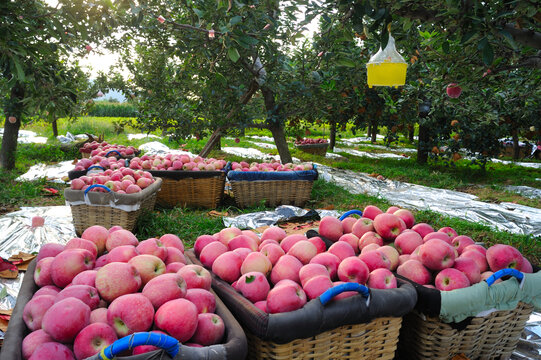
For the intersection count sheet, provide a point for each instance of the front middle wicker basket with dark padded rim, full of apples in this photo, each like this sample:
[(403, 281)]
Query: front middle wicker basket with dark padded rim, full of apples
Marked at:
[(294, 294)]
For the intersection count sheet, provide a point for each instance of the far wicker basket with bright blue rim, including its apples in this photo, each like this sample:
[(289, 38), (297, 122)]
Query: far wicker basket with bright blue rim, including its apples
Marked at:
[(271, 182)]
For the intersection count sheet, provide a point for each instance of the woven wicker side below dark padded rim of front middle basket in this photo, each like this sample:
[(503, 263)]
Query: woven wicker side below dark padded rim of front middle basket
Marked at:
[(375, 340)]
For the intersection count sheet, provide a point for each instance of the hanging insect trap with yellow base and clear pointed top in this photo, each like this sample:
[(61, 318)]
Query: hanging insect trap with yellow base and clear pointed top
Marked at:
[(387, 67)]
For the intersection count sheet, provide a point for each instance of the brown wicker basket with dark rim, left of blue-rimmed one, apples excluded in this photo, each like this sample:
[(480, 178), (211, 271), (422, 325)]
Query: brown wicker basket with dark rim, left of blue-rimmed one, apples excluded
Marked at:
[(203, 189)]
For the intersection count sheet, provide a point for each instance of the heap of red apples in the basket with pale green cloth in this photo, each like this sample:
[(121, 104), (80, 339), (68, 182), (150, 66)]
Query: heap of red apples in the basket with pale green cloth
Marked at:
[(440, 259)]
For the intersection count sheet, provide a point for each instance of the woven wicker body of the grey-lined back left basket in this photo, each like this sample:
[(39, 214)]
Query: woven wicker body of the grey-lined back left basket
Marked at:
[(85, 215)]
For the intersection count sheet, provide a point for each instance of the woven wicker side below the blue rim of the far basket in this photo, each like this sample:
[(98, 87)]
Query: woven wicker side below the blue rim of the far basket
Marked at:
[(272, 192)]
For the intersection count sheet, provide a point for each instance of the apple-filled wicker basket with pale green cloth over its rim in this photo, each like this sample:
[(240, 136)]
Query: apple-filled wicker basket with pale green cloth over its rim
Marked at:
[(462, 308)]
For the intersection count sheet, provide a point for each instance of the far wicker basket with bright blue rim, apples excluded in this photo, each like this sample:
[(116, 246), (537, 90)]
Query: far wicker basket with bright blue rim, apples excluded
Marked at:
[(274, 188)]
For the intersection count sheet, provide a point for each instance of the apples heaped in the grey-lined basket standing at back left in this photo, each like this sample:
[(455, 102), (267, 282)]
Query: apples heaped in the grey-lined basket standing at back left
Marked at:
[(122, 181)]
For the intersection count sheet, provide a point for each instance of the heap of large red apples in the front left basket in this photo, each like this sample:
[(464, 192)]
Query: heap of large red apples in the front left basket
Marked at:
[(107, 285)]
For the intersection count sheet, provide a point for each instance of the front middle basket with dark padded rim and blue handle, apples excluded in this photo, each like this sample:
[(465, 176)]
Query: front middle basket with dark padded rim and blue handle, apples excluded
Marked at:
[(351, 328)]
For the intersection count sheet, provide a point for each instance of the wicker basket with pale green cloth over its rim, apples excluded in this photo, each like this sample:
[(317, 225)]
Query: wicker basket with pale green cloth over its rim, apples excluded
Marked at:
[(428, 332)]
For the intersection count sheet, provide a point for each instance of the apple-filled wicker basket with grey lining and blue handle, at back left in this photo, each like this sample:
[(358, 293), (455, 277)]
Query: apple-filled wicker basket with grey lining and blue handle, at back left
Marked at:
[(111, 197)]
